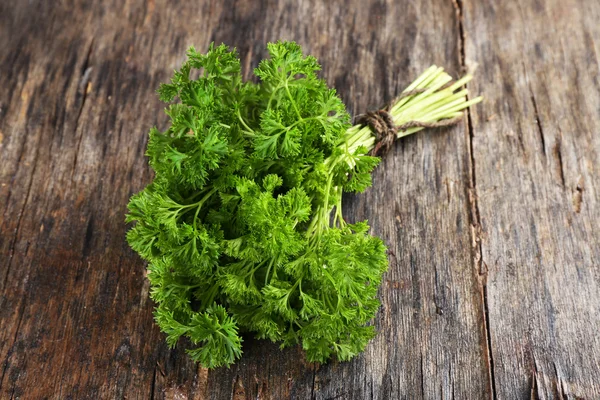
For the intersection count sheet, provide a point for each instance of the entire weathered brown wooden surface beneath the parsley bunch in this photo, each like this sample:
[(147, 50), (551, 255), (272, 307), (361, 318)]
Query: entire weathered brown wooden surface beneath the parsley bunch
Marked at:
[(493, 289)]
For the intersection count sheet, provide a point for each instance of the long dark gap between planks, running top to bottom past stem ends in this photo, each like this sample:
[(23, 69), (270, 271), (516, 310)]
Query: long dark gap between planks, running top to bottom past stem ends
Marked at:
[(475, 214)]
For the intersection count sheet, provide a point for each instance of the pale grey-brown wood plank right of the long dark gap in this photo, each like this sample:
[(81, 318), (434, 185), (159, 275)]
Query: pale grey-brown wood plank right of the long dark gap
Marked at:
[(536, 150)]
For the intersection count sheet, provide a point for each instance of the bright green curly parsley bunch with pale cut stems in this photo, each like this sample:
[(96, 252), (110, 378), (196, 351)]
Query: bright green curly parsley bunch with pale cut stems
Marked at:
[(242, 226)]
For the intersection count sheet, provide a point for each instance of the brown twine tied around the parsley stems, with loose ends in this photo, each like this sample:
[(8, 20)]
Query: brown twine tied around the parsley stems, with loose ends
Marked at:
[(382, 124)]
